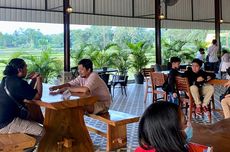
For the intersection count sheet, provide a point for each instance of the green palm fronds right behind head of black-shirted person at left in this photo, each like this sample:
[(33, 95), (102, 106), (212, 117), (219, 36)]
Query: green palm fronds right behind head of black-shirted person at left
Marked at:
[(45, 64)]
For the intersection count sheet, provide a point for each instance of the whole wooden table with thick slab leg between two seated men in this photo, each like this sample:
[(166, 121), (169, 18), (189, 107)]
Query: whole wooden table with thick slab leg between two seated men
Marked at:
[(64, 123)]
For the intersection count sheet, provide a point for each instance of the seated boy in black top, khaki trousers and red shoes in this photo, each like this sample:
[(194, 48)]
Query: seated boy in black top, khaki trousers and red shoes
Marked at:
[(198, 86)]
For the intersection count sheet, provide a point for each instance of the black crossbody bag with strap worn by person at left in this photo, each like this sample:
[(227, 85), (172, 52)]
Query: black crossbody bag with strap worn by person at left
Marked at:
[(23, 111)]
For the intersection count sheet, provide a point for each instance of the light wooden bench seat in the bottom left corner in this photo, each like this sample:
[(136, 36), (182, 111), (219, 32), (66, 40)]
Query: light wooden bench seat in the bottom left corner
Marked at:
[(15, 142)]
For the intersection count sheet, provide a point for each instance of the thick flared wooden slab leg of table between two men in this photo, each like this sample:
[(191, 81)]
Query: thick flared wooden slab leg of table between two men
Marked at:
[(65, 131)]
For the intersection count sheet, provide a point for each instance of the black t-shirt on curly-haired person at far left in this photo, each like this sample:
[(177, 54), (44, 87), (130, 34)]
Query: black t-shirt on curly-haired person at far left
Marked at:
[(20, 90)]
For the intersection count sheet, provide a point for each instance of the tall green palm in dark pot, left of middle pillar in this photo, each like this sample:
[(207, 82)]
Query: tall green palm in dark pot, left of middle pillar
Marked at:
[(138, 59)]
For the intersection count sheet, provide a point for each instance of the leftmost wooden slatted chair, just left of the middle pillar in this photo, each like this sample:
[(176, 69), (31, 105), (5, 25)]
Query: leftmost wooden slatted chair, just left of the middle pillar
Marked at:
[(148, 85)]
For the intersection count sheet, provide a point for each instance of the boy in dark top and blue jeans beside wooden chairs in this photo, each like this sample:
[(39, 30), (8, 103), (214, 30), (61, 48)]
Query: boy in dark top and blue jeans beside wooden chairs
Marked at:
[(175, 64)]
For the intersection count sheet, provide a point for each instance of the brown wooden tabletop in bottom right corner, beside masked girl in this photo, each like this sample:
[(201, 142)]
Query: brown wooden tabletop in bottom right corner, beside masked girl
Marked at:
[(216, 135)]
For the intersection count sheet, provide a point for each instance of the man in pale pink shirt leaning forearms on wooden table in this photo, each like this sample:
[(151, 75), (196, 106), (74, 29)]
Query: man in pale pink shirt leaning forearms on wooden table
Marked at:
[(88, 82)]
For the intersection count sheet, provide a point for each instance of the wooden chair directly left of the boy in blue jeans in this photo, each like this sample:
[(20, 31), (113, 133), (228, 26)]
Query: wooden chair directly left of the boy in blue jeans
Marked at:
[(158, 79)]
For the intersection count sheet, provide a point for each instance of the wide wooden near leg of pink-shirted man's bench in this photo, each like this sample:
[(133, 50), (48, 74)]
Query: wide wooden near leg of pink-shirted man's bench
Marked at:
[(116, 137)]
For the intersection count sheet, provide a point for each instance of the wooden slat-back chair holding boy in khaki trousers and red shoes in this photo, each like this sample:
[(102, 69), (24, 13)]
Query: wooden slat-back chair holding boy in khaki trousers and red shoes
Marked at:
[(186, 100)]
